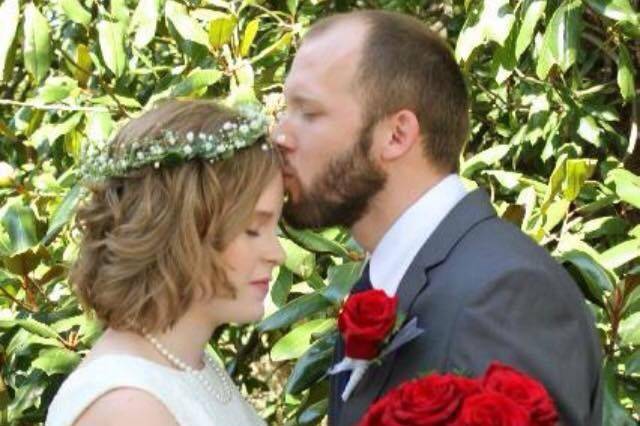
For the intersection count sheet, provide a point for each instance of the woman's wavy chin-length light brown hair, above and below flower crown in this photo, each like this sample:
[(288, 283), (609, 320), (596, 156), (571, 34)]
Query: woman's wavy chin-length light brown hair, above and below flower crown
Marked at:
[(152, 240)]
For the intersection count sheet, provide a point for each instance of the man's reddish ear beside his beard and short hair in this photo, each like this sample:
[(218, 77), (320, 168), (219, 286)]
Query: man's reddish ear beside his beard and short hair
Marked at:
[(401, 134)]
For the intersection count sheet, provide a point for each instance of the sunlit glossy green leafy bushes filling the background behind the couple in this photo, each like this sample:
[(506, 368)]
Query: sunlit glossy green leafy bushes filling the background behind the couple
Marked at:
[(554, 138)]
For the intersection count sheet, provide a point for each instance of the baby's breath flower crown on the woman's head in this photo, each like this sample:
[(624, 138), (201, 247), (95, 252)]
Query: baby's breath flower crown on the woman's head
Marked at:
[(100, 161)]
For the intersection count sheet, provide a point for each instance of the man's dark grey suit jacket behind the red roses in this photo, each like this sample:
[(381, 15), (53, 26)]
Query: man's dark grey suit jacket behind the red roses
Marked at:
[(484, 291)]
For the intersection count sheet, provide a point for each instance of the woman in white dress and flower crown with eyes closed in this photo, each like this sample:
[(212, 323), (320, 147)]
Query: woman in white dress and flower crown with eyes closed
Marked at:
[(179, 237)]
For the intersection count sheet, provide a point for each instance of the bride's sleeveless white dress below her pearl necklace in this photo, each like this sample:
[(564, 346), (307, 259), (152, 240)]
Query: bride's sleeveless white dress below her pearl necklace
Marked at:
[(181, 392)]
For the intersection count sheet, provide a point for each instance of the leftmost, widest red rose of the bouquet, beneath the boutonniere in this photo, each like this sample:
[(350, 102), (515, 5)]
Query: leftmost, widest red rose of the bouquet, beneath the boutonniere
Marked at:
[(431, 401)]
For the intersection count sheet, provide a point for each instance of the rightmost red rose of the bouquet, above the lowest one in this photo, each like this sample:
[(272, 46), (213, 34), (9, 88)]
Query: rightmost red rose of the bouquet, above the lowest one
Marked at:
[(524, 390)]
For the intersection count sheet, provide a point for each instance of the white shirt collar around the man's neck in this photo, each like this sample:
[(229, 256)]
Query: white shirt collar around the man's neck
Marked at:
[(401, 243)]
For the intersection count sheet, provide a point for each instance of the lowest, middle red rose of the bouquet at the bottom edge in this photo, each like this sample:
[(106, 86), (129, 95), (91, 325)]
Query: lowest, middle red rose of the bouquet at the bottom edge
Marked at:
[(492, 409)]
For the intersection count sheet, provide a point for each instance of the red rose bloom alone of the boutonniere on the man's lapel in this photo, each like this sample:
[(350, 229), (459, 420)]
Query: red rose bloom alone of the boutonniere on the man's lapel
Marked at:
[(366, 320)]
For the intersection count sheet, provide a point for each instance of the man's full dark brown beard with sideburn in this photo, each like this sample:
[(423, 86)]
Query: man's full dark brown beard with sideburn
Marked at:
[(339, 196)]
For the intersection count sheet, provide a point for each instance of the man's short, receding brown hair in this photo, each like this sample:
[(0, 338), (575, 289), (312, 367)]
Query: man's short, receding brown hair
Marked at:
[(406, 65)]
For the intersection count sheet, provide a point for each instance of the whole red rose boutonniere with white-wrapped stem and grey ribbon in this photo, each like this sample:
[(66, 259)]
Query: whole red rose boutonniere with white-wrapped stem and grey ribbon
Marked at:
[(371, 328)]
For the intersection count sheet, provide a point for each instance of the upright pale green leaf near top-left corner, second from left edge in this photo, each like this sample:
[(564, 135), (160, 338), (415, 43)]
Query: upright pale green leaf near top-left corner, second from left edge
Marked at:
[(36, 48)]
